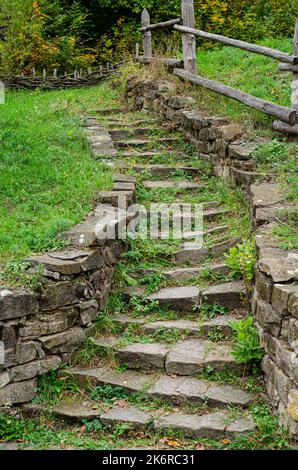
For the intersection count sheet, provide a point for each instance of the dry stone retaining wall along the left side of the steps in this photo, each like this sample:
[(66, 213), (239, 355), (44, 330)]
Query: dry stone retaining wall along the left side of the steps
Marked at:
[(40, 330)]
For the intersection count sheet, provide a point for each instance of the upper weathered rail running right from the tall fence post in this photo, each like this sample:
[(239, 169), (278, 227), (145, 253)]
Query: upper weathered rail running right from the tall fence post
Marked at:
[(267, 51)]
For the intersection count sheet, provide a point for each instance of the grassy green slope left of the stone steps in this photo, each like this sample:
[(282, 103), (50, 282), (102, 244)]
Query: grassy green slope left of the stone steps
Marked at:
[(47, 175)]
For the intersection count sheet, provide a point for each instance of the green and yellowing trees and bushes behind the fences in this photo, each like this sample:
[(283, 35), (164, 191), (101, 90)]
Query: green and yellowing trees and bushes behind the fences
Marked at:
[(61, 34)]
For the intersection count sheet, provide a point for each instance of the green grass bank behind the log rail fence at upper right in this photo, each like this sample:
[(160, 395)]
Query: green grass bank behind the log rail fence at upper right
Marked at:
[(252, 73)]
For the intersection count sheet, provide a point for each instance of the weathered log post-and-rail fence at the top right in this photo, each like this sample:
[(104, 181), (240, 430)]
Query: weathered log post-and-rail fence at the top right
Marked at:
[(287, 118)]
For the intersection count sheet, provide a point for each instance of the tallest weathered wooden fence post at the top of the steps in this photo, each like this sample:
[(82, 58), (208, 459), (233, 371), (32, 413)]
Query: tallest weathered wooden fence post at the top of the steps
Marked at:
[(189, 40)]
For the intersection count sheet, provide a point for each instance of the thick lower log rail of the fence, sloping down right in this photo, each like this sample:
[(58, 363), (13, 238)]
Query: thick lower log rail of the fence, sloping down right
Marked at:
[(280, 112)]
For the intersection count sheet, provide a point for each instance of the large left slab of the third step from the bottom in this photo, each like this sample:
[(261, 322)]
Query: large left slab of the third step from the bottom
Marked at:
[(143, 356)]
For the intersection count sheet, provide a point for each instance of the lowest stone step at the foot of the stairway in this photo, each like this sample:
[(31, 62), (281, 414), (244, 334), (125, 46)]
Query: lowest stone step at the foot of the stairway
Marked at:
[(214, 425)]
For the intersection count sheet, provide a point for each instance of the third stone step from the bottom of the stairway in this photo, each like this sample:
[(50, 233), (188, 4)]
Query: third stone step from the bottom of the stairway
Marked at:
[(185, 358)]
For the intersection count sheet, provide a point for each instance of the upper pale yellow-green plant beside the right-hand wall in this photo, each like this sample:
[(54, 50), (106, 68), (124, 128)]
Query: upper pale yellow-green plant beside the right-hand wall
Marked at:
[(242, 260)]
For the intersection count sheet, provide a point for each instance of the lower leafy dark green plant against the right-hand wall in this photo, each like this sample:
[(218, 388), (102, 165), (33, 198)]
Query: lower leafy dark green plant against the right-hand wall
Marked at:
[(247, 343)]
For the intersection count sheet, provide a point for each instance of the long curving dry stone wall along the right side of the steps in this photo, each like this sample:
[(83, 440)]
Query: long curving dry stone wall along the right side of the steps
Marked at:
[(275, 299)]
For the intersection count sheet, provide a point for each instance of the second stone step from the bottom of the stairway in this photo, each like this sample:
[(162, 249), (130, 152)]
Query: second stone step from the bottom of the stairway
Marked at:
[(178, 390)]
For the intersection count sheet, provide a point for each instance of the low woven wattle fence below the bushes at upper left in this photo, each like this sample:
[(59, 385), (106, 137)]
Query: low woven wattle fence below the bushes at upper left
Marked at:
[(55, 80)]
